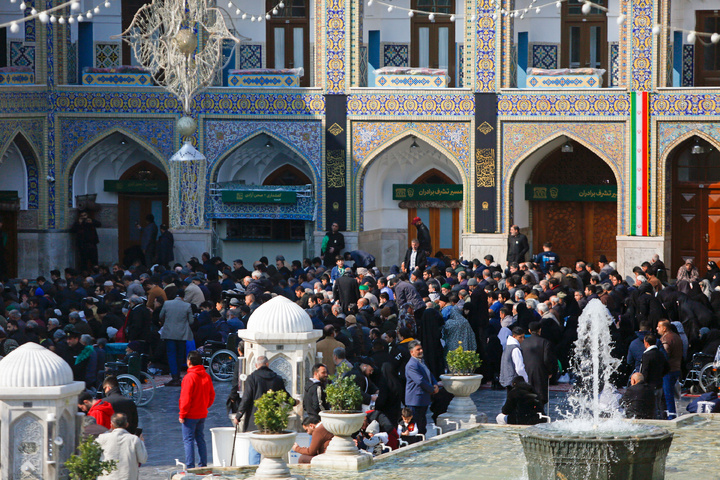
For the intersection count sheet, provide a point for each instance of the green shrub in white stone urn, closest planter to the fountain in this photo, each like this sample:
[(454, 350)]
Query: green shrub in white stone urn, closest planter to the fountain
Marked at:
[(461, 382)]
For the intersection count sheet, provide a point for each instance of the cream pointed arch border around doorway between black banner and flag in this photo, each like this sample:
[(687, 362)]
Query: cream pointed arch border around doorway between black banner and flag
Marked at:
[(509, 176)]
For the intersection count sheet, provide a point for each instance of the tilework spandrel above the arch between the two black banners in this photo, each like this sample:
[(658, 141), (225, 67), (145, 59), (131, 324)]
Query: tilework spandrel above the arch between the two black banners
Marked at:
[(371, 137)]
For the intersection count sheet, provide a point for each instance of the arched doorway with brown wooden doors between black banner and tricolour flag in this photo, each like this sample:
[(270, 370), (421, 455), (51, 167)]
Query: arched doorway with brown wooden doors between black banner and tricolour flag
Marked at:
[(573, 196)]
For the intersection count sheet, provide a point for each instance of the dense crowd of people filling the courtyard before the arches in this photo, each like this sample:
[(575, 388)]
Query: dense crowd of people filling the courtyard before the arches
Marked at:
[(389, 330)]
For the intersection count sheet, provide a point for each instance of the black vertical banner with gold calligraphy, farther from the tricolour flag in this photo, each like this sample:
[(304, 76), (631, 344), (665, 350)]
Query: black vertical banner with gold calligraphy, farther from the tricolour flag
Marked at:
[(335, 153)]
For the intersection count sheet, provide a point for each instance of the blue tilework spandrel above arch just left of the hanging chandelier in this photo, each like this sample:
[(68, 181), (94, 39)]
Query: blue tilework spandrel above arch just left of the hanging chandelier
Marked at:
[(79, 133)]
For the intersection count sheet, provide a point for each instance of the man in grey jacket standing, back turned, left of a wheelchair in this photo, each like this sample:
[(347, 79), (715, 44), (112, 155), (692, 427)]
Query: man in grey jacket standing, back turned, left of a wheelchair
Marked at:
[(176, 316)]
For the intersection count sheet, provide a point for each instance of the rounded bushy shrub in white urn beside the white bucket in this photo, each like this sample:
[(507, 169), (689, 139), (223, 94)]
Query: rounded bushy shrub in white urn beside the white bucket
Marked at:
[(272, 440)]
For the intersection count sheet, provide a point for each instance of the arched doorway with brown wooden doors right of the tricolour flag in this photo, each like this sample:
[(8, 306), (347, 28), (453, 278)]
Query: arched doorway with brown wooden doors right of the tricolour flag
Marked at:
[(695, 220)]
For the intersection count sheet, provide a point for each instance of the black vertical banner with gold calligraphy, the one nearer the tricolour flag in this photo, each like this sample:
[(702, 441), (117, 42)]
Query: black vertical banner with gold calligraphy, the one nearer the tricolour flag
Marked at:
[(485, 180)]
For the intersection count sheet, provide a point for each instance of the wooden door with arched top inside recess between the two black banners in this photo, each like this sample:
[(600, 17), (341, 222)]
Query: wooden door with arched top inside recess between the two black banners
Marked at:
[(441, 217)]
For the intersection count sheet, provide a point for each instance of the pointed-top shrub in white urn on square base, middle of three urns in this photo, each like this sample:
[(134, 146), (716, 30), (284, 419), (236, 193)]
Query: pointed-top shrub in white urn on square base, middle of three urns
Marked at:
[(342, 420)]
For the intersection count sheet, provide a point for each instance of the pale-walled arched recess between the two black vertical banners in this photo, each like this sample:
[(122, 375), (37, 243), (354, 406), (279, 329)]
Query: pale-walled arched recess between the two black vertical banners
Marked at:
[(386, 205)]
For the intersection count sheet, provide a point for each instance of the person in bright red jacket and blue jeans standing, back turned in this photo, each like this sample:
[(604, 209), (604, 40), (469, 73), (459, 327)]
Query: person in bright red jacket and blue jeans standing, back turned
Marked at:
[(196, 396)]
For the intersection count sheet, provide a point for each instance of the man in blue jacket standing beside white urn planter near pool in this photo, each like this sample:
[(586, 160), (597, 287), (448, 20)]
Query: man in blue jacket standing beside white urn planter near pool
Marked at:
[(420, 386)]
